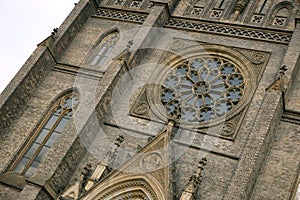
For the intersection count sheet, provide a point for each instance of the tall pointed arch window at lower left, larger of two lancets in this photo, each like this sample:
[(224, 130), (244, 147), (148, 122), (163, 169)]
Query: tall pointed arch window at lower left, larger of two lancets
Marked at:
[(46, 134)]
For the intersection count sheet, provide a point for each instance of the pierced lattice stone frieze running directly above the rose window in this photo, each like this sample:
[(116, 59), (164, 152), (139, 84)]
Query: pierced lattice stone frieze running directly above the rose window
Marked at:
[(231, 31)]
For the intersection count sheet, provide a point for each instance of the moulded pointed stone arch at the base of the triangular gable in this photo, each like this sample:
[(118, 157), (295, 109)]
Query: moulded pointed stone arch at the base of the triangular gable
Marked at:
[(128, 186)]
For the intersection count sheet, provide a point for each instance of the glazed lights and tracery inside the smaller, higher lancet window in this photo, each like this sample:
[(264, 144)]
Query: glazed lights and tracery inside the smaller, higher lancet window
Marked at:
[(104, 49)]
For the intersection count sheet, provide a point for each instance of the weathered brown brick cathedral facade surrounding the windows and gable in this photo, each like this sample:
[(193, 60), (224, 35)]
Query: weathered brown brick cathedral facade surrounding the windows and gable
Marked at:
[(259, 161)]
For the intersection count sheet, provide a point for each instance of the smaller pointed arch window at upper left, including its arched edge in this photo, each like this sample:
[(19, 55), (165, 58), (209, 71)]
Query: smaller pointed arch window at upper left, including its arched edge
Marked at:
[(103, 48)]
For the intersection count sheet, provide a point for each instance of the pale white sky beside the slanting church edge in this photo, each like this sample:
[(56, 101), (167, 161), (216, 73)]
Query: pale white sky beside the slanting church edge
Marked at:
[(24, 24)]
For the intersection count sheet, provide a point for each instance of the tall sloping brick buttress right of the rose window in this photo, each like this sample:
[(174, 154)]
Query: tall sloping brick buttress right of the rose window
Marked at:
[(256, 147)]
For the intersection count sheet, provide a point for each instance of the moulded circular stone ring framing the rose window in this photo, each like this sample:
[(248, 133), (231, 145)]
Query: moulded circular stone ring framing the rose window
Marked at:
[(244, 66)]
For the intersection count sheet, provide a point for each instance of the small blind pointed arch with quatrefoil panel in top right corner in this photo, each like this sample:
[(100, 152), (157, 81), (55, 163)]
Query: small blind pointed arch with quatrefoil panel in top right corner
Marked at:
[(281, 14)]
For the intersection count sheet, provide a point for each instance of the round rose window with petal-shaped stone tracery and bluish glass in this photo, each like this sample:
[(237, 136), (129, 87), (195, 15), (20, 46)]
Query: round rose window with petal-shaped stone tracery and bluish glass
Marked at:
[(202, 89)]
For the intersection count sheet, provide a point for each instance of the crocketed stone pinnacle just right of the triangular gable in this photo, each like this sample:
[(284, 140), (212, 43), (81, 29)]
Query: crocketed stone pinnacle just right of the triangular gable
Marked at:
[(192, 187)]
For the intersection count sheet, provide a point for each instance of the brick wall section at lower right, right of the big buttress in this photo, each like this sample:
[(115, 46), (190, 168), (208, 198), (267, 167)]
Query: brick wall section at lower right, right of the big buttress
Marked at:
[(279, 173)]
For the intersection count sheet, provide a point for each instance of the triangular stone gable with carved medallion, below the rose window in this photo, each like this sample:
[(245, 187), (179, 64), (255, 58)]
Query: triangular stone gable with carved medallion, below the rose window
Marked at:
[(149, 170)]
